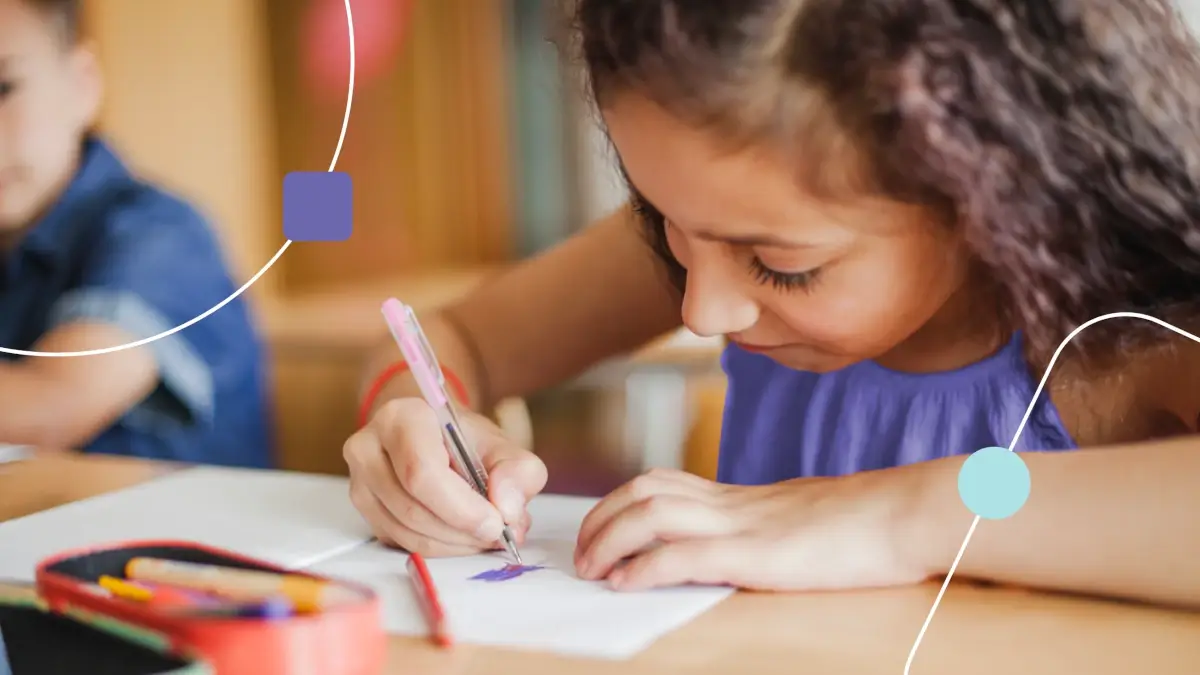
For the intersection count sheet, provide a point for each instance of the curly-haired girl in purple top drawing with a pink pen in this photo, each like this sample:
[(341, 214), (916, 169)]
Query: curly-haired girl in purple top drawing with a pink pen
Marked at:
[(895, 212)]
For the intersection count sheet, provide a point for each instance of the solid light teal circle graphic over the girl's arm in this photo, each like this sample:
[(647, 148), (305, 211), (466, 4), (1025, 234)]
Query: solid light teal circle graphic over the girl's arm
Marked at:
[(994, 483)]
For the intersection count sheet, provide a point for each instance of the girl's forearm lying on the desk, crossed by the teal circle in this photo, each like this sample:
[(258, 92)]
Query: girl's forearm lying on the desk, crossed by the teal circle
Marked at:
[(1118, 522)]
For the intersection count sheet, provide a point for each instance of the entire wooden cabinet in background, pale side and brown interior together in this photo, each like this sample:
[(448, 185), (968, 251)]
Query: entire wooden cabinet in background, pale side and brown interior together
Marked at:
[(217, 100)]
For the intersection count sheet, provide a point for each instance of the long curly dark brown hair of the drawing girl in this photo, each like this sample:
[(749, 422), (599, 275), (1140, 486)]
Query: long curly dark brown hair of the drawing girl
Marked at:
[(1063, 136)]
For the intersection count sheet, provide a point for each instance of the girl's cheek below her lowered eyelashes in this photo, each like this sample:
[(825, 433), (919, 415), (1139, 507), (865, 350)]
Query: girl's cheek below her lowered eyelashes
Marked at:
[(869, 304)]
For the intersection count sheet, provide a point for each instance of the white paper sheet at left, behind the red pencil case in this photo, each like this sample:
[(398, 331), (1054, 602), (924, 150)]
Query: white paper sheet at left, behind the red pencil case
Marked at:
[(290, 519)]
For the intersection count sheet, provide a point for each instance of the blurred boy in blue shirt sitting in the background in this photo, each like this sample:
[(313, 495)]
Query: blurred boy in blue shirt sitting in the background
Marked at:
[(93, 258)]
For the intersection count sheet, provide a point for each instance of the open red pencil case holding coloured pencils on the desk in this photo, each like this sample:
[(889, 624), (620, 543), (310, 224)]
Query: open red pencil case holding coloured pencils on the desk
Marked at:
[(347, 640)]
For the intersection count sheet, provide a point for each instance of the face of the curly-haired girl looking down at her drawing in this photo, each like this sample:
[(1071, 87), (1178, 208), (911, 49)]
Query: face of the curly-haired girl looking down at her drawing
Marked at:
[(814, 286)]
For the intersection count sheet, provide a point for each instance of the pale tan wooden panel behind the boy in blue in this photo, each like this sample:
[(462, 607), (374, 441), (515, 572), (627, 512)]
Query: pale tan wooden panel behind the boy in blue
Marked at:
[(189, 105)]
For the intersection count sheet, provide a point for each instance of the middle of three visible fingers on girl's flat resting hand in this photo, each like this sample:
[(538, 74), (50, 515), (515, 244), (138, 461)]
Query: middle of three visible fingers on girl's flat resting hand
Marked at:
[(662, 518)]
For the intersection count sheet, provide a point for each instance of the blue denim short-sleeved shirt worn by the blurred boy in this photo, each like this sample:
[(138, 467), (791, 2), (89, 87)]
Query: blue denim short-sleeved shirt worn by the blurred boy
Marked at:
[(121, 252)]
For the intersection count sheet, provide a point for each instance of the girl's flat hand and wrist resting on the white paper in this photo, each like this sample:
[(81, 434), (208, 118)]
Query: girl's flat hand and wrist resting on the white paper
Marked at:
[(817, 534)]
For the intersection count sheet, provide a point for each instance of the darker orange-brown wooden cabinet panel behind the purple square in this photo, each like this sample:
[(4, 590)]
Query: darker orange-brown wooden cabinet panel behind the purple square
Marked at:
[(428, 144)]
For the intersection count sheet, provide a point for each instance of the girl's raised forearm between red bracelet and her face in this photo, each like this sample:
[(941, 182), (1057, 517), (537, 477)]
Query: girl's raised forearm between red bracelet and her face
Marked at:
[(598, 295)]
